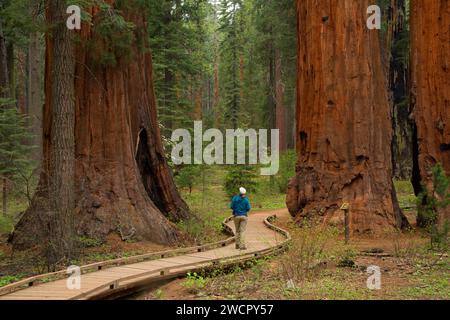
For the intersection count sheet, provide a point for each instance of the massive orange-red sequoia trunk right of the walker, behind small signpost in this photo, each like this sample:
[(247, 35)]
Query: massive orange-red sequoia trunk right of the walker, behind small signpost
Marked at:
[(344, 127)]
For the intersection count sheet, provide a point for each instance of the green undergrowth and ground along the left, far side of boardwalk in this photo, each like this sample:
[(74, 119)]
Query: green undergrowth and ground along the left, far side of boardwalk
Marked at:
[(207, 200)]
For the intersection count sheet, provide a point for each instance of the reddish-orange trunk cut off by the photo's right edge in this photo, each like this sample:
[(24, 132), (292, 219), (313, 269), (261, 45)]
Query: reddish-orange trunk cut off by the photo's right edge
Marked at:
[(430, 88)]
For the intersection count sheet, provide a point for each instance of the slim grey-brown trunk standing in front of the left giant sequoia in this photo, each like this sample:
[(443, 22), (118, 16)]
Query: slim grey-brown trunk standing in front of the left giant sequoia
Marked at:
[(61, 158)]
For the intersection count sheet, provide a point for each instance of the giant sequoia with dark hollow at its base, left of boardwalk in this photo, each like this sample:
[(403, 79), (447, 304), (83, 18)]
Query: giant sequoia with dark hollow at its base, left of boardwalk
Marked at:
[(122, 181)]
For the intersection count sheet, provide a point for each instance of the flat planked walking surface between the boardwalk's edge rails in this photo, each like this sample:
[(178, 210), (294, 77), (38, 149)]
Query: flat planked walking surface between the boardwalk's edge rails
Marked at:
[(258, 237)]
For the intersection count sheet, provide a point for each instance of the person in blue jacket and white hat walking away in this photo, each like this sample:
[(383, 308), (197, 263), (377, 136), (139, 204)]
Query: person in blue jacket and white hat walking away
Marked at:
[(240, 206)]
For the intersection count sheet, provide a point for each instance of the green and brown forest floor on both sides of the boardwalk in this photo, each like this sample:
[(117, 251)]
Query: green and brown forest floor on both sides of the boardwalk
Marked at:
[(318, 266)]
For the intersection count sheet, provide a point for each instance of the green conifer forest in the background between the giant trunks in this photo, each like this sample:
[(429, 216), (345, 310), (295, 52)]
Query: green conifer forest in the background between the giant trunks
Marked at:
[(229, 63)]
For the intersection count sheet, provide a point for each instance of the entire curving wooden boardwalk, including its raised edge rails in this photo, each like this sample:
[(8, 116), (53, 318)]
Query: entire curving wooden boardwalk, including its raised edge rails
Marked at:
[(104, 279)]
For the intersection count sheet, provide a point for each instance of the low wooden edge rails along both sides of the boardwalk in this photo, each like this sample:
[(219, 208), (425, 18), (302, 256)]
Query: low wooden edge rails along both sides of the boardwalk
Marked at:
[(155, 274)]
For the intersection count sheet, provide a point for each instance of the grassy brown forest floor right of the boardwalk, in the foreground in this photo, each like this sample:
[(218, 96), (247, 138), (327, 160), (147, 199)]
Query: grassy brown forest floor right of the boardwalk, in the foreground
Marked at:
[(320, 266)]
